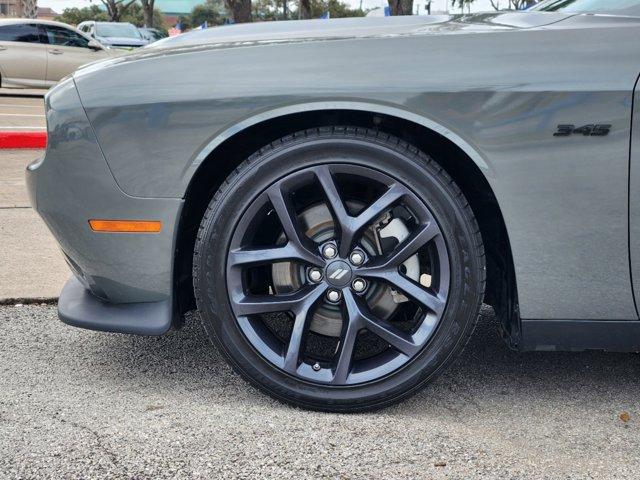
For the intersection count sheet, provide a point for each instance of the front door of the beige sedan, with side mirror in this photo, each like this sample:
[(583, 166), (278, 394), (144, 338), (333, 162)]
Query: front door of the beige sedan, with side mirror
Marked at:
[(67, 50)]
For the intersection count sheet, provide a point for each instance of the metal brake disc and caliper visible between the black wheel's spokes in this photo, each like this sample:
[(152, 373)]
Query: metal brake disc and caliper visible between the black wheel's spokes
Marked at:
[(319, 226)]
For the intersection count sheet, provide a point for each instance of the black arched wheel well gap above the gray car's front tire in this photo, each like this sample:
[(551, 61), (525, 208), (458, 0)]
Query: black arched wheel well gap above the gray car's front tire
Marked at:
[(501, 291)]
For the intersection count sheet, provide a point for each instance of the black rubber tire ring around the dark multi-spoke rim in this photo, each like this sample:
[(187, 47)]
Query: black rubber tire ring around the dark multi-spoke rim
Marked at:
[(422, 175)]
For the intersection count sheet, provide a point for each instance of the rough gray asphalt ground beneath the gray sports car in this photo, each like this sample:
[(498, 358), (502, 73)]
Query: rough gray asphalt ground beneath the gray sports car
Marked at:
[(80, 404)]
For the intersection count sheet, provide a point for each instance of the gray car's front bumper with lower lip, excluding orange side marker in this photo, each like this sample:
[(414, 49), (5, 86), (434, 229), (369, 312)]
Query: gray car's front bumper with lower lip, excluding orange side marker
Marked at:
[(126, 278)]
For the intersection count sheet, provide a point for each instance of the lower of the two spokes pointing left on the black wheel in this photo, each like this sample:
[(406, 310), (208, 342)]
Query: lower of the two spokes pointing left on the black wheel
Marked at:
[(293, 302)]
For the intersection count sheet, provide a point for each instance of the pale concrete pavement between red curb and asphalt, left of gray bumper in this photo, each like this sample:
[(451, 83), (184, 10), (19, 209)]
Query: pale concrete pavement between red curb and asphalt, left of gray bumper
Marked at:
[(31, 265)]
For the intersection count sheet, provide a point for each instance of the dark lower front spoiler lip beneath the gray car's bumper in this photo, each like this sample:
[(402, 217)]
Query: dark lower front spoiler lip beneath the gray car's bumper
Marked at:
[(79, 308)]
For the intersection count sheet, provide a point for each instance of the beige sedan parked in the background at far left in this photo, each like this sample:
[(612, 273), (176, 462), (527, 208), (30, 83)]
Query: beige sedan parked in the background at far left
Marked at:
[(38, 53)]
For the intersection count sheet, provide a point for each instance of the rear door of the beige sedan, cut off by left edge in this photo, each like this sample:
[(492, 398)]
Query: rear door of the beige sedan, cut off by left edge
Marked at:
[(23, 55)]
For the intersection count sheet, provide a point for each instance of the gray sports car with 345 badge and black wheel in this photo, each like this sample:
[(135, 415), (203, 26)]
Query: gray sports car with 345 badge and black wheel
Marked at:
[(338, 198)]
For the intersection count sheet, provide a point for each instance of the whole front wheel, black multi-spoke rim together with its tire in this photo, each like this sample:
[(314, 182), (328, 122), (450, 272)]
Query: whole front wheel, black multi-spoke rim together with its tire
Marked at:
[(339, 269)]
